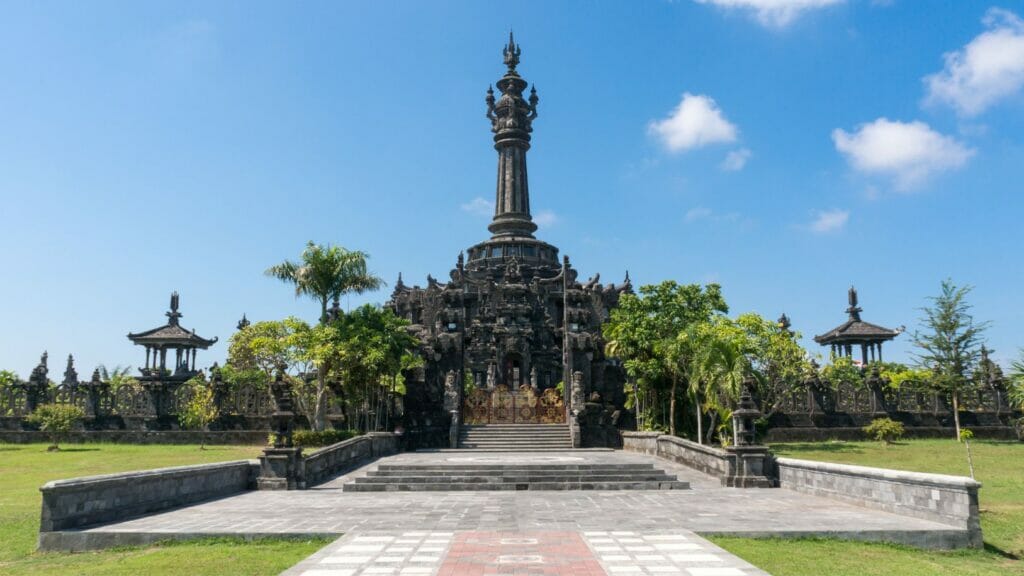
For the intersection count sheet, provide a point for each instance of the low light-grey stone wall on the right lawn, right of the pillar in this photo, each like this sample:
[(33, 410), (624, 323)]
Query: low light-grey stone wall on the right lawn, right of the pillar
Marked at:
[(947, 500)]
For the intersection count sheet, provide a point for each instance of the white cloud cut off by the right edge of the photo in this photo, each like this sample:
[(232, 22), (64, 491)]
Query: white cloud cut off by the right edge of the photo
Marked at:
[(990, 68)]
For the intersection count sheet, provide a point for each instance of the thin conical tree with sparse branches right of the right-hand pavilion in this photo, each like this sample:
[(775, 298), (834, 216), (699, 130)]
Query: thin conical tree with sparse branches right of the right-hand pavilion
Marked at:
[(951, 344)]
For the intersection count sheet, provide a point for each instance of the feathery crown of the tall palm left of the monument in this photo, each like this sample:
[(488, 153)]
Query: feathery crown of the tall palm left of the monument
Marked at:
[(327, 273)]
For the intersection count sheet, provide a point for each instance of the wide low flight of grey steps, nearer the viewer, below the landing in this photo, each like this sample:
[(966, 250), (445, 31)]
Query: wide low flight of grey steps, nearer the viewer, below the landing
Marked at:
[(515, 476)]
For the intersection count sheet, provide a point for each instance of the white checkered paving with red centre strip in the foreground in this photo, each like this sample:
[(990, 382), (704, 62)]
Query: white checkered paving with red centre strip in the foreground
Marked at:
[(619, 553)]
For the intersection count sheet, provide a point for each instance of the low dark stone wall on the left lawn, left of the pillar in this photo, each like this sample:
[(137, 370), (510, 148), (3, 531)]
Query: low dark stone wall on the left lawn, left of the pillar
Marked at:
[(96, 500)]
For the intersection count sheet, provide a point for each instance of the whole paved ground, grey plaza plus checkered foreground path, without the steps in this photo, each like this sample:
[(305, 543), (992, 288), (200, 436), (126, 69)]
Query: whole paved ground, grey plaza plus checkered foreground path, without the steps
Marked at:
[(531, 532)]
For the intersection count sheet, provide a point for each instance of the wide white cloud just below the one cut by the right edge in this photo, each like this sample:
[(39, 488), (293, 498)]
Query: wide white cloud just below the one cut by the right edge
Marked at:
[(908, 152)]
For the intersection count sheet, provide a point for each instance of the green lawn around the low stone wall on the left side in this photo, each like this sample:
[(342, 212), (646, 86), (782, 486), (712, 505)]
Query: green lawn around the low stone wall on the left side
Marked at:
[(25, 468)]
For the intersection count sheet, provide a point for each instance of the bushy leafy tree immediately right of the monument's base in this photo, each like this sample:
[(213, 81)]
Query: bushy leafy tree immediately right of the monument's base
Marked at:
[(645, 333)]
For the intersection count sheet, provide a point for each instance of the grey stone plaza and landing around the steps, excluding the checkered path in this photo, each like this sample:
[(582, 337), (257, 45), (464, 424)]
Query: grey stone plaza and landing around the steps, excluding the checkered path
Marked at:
[(706, 509)]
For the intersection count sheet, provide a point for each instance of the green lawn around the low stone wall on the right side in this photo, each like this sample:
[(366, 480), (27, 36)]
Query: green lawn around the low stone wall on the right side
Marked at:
[(999, 466)]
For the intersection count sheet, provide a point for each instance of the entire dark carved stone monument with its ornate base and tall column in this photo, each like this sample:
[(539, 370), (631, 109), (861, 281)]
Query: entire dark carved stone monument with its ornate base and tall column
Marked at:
[(513, 316)]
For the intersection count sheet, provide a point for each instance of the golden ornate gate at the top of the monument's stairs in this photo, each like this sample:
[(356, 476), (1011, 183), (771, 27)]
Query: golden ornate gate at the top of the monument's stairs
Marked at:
[(501, 406)]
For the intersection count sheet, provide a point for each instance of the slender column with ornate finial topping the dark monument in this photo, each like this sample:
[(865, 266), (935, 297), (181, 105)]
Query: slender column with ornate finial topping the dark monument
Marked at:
[(511, 120)]
